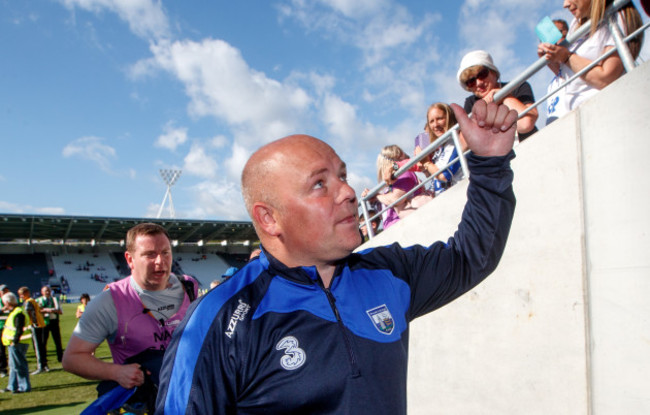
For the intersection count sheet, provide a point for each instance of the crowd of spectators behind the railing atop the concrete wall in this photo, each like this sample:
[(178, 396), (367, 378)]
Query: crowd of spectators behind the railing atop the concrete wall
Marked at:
[(478, 74)]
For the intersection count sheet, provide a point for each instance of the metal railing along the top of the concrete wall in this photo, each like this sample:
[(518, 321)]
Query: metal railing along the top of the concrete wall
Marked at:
[(452, 134)]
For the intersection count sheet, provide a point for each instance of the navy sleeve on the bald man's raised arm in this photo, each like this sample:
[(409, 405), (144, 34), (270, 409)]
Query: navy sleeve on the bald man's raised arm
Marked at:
[(444, 271)]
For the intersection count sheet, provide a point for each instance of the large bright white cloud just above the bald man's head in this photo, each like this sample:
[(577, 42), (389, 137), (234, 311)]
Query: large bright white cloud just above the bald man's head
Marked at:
[(220, 83)]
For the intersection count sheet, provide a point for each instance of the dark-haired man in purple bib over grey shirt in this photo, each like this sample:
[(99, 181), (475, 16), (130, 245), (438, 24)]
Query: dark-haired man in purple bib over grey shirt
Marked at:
[(136, 315)]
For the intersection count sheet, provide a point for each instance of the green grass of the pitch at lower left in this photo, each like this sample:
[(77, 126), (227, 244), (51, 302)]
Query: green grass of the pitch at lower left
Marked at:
[(56, 392)]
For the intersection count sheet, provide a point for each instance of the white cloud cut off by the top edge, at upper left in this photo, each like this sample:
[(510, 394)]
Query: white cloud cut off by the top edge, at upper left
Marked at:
[(146, 18)]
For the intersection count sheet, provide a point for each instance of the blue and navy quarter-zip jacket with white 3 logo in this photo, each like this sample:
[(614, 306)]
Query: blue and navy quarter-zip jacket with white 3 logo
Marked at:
[(274, 340)]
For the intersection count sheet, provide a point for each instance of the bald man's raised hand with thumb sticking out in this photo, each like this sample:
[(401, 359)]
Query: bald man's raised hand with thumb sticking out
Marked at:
[(491, 130)]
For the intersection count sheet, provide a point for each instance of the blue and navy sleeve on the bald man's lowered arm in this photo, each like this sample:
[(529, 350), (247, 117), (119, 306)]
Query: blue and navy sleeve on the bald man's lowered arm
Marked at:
[(198, 371)]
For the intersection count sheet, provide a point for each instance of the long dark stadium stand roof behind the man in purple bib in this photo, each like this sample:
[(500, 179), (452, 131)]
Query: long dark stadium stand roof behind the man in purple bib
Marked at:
[(108, 230)]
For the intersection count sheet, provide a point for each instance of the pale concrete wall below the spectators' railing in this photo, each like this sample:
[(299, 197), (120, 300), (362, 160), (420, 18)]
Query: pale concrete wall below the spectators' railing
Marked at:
[(562, 326)]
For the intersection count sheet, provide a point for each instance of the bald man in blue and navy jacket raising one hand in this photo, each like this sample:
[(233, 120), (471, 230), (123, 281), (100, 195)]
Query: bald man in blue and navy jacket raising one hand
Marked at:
[(310, 327)]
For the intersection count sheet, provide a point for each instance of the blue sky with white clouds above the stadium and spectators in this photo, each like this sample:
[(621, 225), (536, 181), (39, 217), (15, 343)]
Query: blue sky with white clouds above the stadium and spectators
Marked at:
[(97, 95)]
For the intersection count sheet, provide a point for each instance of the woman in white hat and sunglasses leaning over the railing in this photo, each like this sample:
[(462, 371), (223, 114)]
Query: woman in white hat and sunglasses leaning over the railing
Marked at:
[(479, 75)]
